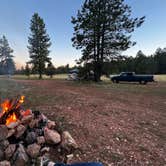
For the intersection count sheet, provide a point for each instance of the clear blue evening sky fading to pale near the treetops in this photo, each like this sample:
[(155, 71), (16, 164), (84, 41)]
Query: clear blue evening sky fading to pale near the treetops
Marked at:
[(15, 18)]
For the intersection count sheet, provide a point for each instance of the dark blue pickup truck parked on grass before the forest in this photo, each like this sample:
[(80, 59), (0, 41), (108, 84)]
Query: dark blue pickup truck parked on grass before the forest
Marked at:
[(132, 77)]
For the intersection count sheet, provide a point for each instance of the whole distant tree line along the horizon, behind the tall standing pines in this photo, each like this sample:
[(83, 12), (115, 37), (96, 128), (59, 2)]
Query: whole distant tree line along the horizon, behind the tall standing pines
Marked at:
[(141, 64)]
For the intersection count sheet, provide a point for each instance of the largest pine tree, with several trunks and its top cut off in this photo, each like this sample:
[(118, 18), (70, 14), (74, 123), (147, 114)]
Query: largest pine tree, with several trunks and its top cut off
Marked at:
[(102, 30)]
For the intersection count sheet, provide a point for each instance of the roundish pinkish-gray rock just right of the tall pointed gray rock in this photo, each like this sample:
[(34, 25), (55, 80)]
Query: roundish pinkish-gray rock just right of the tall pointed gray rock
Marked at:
[(33, 150)]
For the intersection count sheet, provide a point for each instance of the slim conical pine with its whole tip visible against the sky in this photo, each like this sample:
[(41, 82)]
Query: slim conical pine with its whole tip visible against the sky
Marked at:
[(39, 42)]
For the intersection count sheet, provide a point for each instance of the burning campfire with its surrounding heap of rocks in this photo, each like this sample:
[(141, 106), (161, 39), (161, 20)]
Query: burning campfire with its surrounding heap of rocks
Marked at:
[(27, 136)]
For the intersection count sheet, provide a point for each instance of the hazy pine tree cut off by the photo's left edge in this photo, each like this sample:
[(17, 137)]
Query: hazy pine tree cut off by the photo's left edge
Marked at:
[(7, 65)]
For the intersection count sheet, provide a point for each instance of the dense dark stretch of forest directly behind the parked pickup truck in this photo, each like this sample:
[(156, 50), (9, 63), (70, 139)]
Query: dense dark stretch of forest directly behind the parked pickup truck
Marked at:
[(141, 64)]
